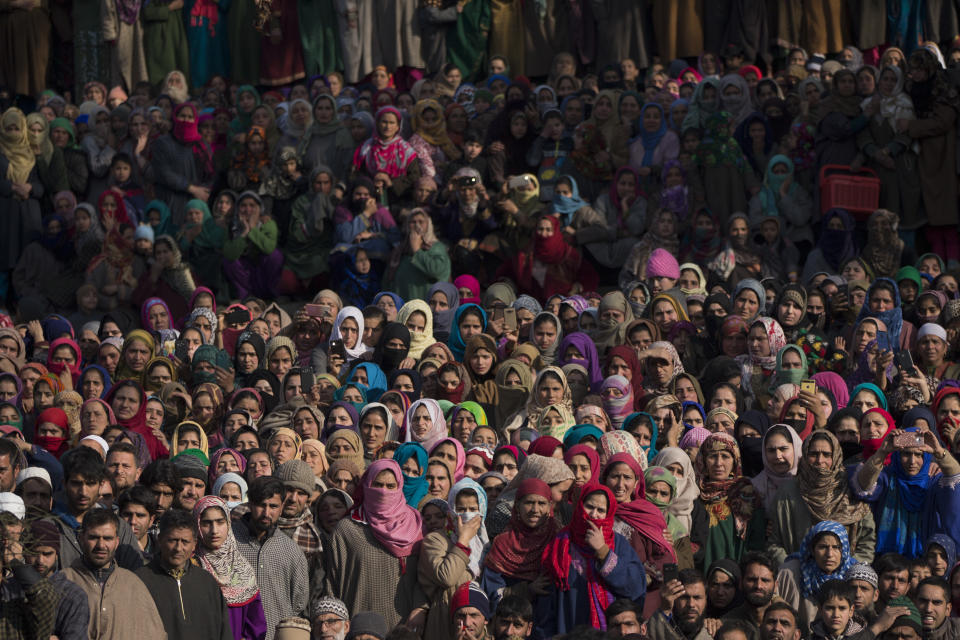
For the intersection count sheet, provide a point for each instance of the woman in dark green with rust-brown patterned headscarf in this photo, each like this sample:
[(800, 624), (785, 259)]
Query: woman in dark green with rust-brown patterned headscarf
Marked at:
[(737, 520)]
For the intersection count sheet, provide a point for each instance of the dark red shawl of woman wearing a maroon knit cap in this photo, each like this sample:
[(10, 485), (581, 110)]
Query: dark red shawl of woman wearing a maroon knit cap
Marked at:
[(517, 551)]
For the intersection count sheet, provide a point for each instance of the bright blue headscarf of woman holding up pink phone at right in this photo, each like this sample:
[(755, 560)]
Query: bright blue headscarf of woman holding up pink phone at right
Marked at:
[(901, 512)]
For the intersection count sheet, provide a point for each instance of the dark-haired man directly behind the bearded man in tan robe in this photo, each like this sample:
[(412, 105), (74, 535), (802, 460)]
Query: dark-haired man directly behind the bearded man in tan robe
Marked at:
[(83, 473)]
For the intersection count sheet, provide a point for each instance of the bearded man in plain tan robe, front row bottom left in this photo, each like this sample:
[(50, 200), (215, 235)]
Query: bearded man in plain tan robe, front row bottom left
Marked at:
[(120, 605)]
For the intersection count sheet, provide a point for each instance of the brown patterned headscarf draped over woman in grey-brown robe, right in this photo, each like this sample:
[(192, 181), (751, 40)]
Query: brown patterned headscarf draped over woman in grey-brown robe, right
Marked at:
[(826, 491)]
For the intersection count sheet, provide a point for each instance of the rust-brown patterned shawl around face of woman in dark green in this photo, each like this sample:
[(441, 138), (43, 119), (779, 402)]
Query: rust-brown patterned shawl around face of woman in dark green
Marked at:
[(730, 491)]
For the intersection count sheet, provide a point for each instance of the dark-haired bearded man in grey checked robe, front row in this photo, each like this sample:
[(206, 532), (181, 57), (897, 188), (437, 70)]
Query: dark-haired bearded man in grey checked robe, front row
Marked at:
[(280, 565)]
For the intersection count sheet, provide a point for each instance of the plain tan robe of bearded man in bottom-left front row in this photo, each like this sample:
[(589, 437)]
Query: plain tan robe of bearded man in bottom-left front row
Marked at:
[(121, 608)]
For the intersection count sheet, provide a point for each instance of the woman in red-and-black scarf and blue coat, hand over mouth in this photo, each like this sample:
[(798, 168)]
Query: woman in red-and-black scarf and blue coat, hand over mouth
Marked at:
[(590, 565)]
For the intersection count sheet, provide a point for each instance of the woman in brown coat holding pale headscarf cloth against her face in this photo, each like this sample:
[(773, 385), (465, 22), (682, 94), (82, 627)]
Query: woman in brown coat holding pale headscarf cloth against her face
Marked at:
[(449, 559)]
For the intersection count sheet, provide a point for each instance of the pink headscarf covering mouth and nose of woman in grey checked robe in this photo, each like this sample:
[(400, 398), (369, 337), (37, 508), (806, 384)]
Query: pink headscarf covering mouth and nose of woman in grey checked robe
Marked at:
[(395, 524)]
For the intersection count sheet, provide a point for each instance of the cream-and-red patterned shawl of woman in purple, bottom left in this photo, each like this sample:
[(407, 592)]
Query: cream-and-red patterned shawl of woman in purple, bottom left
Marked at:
[(234, 575)]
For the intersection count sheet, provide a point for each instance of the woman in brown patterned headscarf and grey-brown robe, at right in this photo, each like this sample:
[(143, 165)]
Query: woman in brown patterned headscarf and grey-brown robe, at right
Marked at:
[(819, 491)]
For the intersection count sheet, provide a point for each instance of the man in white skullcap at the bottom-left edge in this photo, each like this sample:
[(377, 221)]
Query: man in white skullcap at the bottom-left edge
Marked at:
[(28, 601)]
